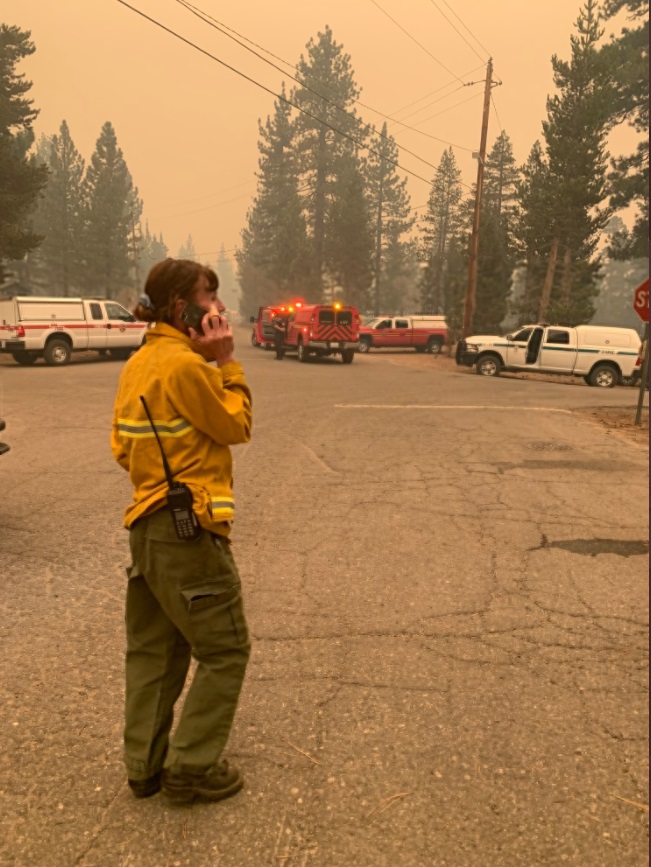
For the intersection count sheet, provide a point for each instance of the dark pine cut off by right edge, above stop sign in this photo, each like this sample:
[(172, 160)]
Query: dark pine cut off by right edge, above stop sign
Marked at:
[(627, 59)]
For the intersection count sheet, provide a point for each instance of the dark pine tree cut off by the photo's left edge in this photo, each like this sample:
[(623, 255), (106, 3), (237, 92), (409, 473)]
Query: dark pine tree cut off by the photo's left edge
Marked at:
[(21, 177)]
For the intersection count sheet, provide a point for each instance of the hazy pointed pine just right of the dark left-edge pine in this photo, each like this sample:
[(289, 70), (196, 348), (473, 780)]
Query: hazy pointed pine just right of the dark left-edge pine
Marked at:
[(60, 215)]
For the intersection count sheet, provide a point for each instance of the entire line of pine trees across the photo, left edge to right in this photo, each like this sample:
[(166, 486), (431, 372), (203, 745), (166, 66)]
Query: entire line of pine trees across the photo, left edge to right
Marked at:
[(332, 215)]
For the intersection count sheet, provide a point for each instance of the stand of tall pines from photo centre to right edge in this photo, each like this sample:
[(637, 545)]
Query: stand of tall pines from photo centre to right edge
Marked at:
[(333, 215)]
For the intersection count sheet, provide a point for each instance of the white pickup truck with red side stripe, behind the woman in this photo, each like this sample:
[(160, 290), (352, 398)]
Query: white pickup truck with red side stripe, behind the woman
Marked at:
[(53, 328)]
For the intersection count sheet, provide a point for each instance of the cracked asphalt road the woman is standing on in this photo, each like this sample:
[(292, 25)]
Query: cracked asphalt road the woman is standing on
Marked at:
[(446, 583)]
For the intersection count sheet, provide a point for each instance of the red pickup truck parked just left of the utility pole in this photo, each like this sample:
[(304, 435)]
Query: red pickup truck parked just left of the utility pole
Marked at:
[(423, 333)]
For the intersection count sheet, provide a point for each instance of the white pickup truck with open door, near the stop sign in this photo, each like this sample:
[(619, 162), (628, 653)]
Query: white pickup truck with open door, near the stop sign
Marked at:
[(602, 355)]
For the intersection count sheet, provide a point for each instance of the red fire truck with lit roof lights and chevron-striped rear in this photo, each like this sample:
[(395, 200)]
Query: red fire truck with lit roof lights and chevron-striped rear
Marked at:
[(323, 329)]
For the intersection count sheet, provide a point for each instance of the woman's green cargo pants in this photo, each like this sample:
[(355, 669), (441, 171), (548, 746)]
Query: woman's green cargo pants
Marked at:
[(183, 599)]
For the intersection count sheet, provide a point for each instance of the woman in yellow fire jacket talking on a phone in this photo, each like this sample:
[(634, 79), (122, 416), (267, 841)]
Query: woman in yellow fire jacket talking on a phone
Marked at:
[(183, 595)]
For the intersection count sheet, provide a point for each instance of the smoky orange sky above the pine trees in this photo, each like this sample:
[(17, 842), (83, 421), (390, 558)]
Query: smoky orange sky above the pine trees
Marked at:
[(188, 126)]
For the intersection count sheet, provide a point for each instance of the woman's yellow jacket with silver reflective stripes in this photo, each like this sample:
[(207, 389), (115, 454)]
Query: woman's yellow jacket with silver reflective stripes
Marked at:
[(199, 410)]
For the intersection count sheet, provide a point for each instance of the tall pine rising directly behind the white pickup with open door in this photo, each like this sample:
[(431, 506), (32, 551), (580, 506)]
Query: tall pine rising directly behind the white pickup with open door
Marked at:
[(575, 133)]
